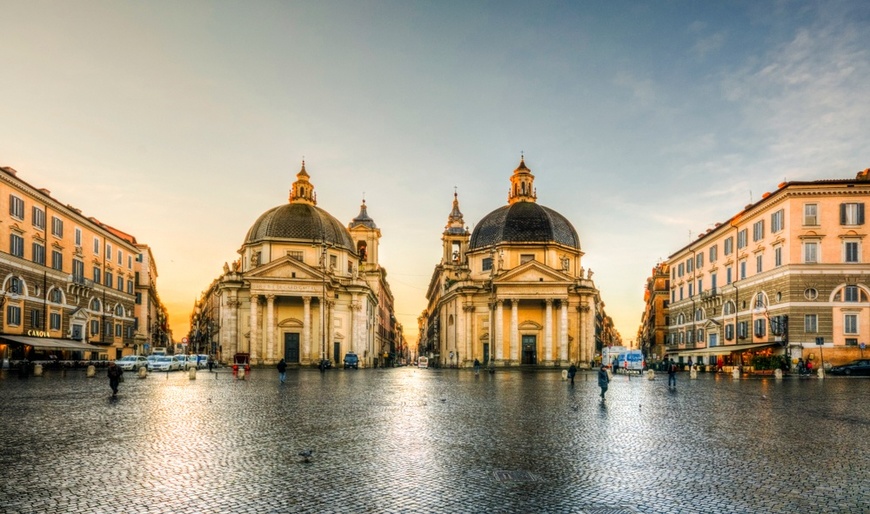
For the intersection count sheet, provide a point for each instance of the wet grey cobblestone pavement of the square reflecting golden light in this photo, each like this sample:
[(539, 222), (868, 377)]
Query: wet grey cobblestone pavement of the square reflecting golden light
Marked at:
[(412, 440)]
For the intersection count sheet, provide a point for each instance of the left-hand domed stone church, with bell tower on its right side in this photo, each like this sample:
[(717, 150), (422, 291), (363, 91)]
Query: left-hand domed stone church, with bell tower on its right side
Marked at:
[(304, 288)]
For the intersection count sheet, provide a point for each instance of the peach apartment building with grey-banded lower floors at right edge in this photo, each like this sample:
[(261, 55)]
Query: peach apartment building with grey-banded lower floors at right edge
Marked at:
[(787, 277)]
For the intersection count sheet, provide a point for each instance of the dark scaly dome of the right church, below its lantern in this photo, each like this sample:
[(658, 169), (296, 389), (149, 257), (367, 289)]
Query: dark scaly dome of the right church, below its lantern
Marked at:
[(523, 222)]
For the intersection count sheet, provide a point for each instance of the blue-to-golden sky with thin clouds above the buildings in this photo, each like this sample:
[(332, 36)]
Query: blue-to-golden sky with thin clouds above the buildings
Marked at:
[(644, 123)]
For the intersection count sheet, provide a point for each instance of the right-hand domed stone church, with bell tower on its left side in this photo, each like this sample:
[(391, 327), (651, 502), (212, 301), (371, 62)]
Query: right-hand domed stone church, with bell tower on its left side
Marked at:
[(513, 292)]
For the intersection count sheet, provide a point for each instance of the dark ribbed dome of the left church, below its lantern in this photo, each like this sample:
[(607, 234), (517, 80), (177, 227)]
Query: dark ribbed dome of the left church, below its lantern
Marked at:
[(301, 222)]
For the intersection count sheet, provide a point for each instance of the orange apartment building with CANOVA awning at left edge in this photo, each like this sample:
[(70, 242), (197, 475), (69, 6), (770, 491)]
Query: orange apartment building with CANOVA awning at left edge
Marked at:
[(67, 281)]
